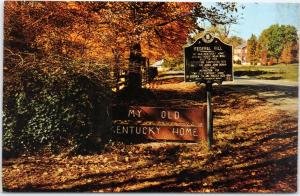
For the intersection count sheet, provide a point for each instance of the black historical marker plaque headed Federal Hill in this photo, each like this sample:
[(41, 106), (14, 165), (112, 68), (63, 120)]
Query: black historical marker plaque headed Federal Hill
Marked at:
[(208, 60)]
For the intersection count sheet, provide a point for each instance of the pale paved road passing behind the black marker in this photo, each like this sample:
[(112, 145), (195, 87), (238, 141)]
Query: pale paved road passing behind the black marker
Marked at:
[(280, 94)]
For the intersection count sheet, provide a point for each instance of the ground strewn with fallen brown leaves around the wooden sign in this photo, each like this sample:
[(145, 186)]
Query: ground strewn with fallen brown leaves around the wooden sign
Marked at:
[(255, 150)]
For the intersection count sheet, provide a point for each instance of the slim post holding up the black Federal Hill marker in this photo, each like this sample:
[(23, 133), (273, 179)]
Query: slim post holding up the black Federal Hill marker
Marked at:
[(209, 114)]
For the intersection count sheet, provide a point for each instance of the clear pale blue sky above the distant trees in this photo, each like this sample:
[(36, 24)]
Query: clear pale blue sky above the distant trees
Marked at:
[(259, 16)]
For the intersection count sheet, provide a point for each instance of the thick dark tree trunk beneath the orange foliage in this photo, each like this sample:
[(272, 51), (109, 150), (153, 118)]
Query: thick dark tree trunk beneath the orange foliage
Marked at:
[(134, 77)]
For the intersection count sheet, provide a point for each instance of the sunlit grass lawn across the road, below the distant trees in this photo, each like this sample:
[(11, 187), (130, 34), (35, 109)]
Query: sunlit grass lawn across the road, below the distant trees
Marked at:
[(272, 72)]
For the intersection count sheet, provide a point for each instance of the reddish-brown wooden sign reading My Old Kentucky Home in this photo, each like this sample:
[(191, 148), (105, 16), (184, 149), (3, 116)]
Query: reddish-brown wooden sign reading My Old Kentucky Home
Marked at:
[(150, 116)]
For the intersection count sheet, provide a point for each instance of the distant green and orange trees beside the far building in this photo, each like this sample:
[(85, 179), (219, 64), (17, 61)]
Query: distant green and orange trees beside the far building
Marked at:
[(276, 44)]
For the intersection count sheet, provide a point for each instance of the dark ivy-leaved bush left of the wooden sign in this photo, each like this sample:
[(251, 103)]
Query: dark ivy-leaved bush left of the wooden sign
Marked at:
[(53, 104)]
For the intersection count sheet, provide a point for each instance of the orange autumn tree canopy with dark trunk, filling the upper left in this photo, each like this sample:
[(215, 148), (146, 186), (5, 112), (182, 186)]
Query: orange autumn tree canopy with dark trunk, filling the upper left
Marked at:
[(108, 30)]
